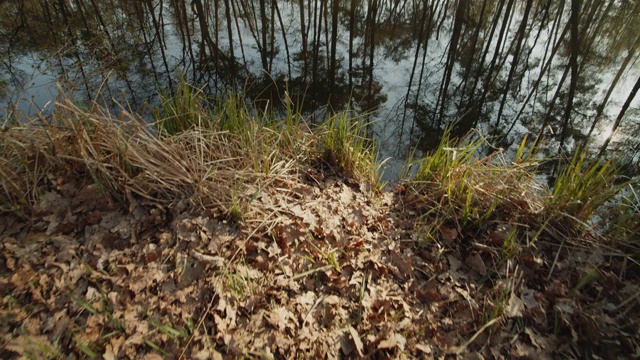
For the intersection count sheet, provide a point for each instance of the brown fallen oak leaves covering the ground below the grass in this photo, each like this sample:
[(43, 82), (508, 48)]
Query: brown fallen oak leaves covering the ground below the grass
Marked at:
[(336, 276)]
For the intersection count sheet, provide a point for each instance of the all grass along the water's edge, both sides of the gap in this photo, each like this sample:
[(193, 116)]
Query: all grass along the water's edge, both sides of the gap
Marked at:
[(224, 153)]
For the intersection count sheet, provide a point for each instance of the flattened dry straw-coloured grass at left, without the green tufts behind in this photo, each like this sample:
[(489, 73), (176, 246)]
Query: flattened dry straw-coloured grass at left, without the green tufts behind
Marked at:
[(126, 156)]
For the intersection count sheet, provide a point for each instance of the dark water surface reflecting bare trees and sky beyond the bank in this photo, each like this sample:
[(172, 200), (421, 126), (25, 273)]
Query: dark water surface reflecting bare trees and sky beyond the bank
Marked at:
[(566, 69)]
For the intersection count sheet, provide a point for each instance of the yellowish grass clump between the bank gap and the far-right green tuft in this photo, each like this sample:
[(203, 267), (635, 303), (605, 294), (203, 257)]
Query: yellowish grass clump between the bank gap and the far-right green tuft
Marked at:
[(464, 187)]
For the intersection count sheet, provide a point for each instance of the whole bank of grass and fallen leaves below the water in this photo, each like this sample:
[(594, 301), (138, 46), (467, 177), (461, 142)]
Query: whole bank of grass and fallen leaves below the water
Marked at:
[(488, 236)]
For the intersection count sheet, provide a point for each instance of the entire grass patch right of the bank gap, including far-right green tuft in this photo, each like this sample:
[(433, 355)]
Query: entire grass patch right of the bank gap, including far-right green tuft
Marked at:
[(456, 187)]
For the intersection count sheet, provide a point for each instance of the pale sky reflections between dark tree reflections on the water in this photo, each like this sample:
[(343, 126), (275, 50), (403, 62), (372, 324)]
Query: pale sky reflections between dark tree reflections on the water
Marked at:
[(38, 88)]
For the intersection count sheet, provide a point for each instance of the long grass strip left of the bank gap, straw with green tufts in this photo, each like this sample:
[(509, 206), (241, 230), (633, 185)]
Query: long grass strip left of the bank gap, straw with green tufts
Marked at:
[(222, 156)]
